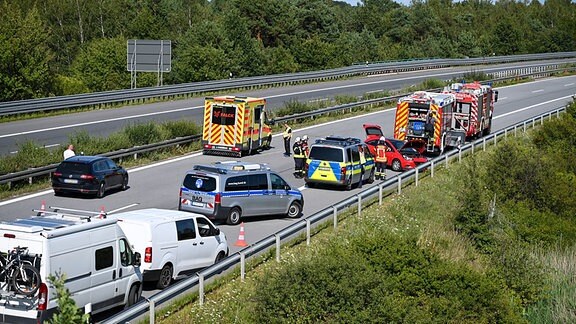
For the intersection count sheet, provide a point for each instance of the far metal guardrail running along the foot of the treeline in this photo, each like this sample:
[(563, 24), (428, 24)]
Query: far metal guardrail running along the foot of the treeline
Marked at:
[(164, 92)]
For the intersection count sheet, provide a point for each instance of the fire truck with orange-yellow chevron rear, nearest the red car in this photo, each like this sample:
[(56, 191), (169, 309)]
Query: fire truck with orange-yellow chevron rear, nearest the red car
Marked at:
[(427, 116)]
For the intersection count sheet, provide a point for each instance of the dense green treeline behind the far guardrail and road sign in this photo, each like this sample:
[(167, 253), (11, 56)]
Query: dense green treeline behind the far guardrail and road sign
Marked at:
[(58, 47)]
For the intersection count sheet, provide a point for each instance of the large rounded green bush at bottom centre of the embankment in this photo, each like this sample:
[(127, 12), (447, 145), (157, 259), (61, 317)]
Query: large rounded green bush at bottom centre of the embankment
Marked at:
[(379, 278)]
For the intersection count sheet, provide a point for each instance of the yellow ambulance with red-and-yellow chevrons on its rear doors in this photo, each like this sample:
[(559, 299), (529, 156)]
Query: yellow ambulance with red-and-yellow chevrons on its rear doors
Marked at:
[(235, 126)]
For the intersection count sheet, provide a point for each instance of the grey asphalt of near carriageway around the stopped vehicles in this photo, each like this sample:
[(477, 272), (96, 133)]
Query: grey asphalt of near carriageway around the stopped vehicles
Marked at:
[(157, 185)]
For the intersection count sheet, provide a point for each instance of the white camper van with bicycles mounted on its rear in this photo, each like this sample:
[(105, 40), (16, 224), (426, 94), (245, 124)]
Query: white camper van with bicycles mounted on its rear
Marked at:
[(101, 270)]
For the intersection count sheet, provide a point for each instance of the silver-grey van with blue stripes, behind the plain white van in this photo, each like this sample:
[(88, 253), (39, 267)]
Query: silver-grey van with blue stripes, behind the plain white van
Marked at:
[(231, 190)]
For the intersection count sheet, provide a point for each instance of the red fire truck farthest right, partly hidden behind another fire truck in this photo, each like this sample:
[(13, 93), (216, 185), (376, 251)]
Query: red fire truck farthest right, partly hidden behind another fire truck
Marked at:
[(474, 108)]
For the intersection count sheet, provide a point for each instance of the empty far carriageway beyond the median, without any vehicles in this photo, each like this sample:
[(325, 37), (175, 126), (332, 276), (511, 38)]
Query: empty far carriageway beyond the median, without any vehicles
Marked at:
[(54, 131)]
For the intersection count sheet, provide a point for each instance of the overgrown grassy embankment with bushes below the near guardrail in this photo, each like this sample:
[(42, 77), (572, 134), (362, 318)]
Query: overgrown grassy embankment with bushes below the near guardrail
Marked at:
[(491, 240)]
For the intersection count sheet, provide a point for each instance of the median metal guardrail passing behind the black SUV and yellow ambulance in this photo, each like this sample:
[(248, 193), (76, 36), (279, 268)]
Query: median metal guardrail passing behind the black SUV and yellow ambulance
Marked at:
[(47, 170)]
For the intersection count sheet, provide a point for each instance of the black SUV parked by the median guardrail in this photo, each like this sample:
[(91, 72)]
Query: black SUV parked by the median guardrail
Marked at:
[(90, 175)]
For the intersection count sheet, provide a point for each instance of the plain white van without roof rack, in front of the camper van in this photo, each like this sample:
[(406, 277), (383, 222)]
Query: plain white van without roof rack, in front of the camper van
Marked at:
[(173, 243)]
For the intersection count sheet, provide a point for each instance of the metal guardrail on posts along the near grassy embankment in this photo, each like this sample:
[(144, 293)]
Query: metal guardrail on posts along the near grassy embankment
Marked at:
[(303, 226)]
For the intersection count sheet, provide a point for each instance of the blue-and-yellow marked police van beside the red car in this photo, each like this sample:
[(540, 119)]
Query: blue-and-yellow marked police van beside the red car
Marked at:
[(341, 161)]
